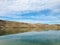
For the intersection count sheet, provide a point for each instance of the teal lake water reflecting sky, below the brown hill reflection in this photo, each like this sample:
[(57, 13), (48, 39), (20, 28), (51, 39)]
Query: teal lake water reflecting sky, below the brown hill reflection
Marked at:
[(32, 38)]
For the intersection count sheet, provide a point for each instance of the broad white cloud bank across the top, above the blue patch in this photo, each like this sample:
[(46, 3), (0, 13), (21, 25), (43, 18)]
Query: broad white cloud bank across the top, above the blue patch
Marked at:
[(7, 6)]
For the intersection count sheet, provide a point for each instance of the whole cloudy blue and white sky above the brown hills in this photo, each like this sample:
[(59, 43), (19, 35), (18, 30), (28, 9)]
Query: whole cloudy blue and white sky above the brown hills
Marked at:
[(31, 11)]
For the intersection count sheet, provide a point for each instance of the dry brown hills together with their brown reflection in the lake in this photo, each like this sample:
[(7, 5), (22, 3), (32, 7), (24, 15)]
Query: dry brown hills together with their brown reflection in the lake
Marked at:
[(9, 27)]
